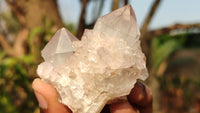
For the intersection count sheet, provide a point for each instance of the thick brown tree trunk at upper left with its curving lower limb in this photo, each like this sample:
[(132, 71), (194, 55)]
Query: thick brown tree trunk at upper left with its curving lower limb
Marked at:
[(31, 14)]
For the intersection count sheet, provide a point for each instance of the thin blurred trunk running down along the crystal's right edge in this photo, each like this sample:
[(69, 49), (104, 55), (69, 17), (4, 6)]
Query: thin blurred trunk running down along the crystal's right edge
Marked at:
[(153, 83)]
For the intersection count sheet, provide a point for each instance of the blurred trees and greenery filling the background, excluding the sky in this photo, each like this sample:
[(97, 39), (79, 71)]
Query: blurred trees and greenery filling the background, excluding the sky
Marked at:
[(173, 53)]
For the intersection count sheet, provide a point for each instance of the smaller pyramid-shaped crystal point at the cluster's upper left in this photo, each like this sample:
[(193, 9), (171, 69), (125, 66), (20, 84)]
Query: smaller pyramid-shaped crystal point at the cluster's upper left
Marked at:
[(59, 47)]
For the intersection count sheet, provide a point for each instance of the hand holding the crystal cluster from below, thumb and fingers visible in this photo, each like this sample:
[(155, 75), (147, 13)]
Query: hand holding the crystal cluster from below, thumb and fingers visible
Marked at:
[(140, 99)]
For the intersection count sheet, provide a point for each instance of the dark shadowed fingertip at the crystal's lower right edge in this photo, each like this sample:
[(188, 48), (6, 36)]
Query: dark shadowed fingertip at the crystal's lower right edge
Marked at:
[(141, 96)]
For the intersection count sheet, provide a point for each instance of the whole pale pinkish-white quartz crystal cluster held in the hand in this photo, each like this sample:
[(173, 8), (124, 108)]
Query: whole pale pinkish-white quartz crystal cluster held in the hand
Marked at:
[(100, 68)]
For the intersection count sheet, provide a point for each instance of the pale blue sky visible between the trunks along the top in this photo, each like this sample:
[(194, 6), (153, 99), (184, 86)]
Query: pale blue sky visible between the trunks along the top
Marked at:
[(169, 12)]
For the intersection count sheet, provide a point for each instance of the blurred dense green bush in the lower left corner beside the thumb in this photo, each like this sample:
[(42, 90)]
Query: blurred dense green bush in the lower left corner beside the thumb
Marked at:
[(16, 95)]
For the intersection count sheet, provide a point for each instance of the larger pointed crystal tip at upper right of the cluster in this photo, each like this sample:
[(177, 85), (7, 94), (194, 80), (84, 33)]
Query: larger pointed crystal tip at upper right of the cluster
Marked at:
[(120, 23)]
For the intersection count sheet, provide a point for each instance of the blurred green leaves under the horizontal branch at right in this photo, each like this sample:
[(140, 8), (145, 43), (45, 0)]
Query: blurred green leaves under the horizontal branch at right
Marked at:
[(163, 46)]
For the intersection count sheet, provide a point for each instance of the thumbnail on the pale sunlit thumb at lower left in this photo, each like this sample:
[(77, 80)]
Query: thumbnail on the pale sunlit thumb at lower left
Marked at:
[(41, 100)]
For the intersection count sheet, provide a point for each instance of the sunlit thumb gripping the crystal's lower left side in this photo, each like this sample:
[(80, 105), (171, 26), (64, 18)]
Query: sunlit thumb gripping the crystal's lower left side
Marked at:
[(47, 97)]
